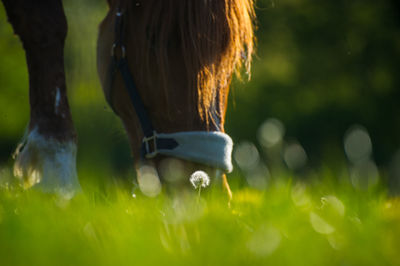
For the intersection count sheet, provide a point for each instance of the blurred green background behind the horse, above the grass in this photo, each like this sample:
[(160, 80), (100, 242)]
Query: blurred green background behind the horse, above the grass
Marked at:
[(325, 71)]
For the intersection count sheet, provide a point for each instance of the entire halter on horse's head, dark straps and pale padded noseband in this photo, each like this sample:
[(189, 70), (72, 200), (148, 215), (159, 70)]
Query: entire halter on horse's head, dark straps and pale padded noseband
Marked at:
[(209, 148)]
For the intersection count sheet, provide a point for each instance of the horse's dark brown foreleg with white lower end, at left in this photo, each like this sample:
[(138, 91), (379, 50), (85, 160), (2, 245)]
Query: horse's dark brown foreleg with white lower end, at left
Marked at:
[(47, 156)]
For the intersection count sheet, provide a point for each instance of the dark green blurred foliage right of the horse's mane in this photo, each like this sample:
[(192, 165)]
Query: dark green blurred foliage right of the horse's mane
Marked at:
[(323, 66)]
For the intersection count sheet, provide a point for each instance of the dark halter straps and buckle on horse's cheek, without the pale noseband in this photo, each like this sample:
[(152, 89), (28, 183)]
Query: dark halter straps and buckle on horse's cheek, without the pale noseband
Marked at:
[(151, 142)]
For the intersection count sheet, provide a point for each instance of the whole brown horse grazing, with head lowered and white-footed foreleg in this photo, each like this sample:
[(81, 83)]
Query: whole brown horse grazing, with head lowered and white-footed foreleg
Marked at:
[(165, 68)]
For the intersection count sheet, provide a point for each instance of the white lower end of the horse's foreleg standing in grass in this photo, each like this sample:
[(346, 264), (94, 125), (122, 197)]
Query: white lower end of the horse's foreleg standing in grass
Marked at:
[(47, 164)]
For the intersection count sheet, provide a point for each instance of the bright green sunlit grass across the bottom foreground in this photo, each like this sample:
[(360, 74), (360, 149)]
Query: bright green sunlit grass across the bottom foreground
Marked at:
[(290, 223)]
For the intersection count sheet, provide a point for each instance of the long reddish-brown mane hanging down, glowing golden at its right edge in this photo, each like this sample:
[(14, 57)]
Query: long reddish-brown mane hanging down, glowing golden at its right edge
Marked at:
[(213, 38)]
